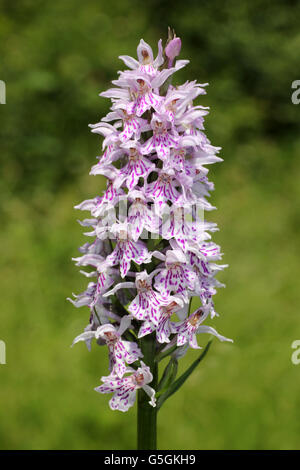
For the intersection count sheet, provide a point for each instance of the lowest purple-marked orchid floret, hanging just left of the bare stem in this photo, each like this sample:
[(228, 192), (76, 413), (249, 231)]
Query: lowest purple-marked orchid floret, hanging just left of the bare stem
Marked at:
[(124, 389)]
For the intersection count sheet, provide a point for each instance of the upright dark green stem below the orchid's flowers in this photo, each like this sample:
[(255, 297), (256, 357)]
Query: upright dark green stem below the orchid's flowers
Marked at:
[(147, 414)]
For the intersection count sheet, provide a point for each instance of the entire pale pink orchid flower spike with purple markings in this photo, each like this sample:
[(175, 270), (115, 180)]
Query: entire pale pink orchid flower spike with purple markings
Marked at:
[(154, 158)]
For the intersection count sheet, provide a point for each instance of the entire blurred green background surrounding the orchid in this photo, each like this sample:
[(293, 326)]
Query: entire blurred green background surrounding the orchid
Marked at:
[(55, 59)]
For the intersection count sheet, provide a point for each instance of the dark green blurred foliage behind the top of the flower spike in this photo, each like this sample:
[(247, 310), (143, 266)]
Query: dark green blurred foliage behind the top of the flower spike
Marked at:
[(57, 57)]
